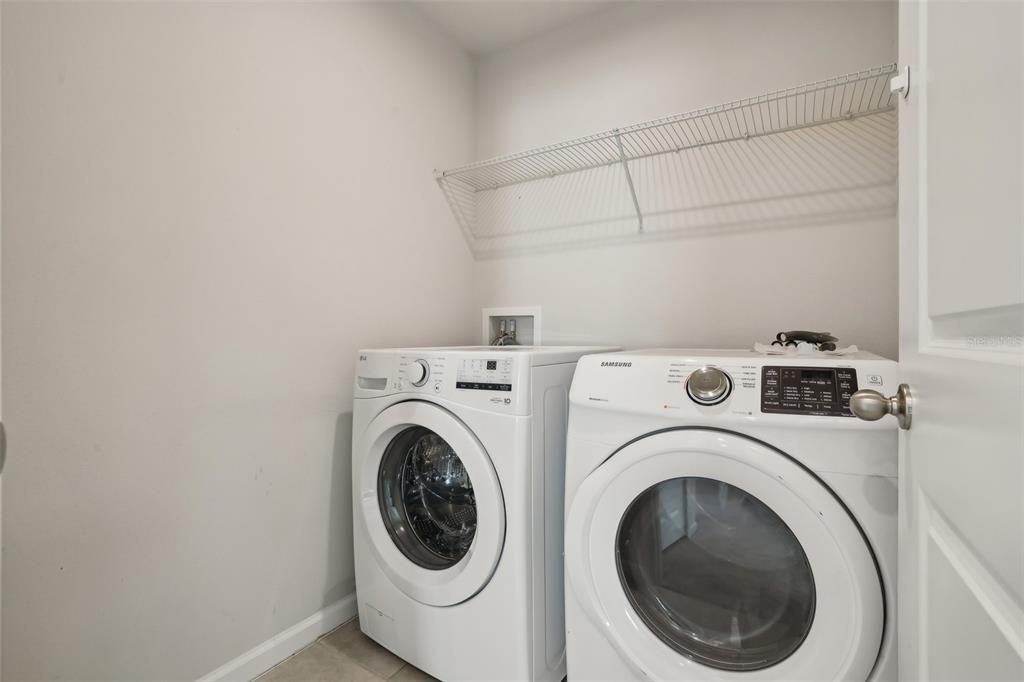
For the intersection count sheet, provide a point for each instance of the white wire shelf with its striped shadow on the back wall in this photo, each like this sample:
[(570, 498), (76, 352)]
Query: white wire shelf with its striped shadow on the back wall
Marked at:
[(623, 183)]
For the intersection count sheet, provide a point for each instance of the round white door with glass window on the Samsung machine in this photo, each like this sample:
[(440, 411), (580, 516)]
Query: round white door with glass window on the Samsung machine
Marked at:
[(706, 556)]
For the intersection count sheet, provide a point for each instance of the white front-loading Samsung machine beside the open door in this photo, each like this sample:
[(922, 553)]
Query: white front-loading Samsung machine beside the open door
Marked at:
[(729, 519)]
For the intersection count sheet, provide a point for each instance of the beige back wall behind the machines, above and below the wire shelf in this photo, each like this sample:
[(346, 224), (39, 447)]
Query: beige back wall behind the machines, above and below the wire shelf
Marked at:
[(645, 61)]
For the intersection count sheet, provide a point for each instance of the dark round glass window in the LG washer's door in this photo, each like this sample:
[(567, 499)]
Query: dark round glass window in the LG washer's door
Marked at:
[(426, 499)]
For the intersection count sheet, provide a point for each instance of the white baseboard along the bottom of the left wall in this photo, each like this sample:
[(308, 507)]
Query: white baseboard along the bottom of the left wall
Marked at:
[(265, 657)]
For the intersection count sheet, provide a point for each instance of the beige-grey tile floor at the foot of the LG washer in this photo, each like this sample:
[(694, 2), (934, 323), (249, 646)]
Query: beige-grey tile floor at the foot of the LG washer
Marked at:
[(346, 655)]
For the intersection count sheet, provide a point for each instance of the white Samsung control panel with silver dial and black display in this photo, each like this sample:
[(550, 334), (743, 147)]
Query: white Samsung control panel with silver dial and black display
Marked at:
[(721, 388)]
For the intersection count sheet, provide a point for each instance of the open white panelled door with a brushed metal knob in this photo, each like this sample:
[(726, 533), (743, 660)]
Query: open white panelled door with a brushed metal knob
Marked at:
[(962, 342)]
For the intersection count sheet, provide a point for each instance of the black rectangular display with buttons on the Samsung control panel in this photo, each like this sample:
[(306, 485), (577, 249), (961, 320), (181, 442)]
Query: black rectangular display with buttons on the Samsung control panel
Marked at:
[(805, 391)]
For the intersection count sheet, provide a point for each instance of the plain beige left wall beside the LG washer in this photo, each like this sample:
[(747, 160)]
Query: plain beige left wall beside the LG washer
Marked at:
[(208, 208)]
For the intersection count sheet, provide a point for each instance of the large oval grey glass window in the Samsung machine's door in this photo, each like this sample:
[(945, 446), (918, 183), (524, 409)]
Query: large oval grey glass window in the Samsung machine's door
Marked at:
[(715, 574)]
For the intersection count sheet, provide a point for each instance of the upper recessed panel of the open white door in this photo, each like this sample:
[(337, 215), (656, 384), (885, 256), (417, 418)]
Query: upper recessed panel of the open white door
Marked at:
[(974, 155)]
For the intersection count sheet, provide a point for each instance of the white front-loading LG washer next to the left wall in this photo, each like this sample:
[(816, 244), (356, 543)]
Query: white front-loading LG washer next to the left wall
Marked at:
[(458, 478)]
